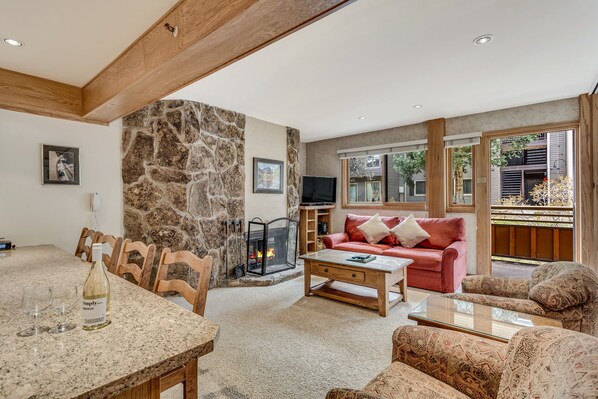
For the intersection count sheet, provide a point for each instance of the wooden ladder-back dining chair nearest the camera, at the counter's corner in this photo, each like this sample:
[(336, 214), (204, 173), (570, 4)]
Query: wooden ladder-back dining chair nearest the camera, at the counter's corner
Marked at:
[(186, 374)]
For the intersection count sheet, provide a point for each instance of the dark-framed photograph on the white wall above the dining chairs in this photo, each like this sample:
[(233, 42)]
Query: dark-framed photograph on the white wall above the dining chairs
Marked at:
[(60, 165)]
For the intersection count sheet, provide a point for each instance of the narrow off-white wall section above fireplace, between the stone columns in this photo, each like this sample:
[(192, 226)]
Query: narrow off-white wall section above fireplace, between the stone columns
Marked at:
[(264, 140)]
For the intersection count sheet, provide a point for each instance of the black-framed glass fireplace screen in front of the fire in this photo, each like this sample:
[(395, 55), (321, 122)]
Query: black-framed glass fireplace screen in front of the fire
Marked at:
[(271, 247)]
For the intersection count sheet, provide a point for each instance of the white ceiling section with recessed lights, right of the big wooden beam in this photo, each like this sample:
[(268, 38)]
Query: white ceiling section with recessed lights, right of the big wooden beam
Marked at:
[(377, 58)]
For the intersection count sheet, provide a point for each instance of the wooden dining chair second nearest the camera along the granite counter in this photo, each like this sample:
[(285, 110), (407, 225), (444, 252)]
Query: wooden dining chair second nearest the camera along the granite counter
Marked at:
[(142, 274)]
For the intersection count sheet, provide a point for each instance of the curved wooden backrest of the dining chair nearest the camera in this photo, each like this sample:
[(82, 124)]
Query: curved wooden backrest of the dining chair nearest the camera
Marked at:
[(196, 297)]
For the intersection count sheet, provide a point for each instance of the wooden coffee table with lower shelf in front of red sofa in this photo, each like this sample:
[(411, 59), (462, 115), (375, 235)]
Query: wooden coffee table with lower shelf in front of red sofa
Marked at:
[(379, 284)]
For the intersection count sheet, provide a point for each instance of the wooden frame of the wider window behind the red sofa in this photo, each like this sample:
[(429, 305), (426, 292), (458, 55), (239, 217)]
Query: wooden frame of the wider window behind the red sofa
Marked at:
[(345, 204)]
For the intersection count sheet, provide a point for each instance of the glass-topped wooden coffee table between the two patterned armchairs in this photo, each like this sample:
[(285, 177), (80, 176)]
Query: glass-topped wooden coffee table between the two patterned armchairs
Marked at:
[(481, 320)]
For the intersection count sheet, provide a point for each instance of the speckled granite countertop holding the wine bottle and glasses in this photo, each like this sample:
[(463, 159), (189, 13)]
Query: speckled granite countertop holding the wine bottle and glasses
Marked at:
[(148, 335)]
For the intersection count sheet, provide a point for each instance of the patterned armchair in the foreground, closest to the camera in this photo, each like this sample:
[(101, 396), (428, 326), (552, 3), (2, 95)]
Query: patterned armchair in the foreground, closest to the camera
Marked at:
[(539, 362)]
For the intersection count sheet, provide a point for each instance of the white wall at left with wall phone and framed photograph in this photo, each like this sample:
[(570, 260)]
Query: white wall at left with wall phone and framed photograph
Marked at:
[(32, 213)]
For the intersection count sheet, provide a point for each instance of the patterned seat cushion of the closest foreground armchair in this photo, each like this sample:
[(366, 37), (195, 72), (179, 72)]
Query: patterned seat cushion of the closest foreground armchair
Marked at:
[(401, 381)]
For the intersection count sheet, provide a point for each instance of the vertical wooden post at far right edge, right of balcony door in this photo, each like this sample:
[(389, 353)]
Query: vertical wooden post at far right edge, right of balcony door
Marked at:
[(587, 180)]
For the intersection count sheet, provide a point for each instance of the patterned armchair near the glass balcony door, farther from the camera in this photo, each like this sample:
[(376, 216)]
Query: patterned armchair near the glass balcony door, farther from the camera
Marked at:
[(565, 291)]
